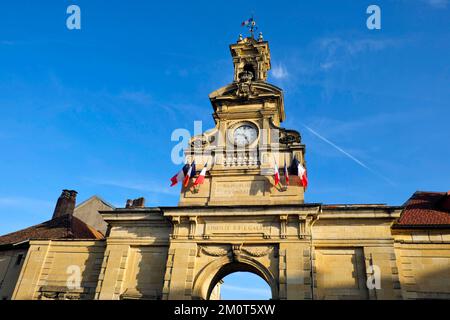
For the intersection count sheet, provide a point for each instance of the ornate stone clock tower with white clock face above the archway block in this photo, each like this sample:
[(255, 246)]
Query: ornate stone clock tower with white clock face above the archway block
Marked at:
[(248, 140)]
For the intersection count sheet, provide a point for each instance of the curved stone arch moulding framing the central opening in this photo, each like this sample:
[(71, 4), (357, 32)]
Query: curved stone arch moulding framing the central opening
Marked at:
[(220, 267)]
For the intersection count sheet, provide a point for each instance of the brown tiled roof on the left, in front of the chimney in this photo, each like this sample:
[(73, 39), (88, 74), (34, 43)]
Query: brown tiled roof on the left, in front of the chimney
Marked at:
[(63, 227)]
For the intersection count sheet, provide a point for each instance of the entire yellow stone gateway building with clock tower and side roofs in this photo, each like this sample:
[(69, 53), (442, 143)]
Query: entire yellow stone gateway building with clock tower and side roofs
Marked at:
[(237, 220)]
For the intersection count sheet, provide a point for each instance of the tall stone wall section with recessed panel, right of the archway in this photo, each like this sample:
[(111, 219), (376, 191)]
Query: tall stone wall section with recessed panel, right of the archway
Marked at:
[(349, 248)]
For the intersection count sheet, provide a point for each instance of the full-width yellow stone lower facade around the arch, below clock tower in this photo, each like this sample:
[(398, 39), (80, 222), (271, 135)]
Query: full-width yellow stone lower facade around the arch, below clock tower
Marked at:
[(300, 251)]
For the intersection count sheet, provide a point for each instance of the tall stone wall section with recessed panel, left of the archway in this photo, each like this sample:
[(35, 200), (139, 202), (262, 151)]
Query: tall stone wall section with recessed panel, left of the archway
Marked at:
[(136, 254)]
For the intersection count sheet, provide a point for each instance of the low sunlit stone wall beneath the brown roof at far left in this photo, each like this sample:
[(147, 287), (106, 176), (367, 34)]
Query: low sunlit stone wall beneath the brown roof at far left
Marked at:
[(60, 270)]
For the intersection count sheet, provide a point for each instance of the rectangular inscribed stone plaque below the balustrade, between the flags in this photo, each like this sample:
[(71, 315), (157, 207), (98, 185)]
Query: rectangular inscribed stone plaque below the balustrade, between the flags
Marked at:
[(239, 188)]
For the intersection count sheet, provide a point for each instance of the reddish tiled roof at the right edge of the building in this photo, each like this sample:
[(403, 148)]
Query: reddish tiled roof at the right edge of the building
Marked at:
[(427, 209)]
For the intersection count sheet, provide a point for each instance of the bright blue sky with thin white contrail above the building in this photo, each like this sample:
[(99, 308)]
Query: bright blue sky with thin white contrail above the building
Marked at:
[(93, 109)]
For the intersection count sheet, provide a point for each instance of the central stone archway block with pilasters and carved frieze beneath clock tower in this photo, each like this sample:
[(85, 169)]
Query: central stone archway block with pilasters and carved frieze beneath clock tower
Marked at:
[(215, 245)]
